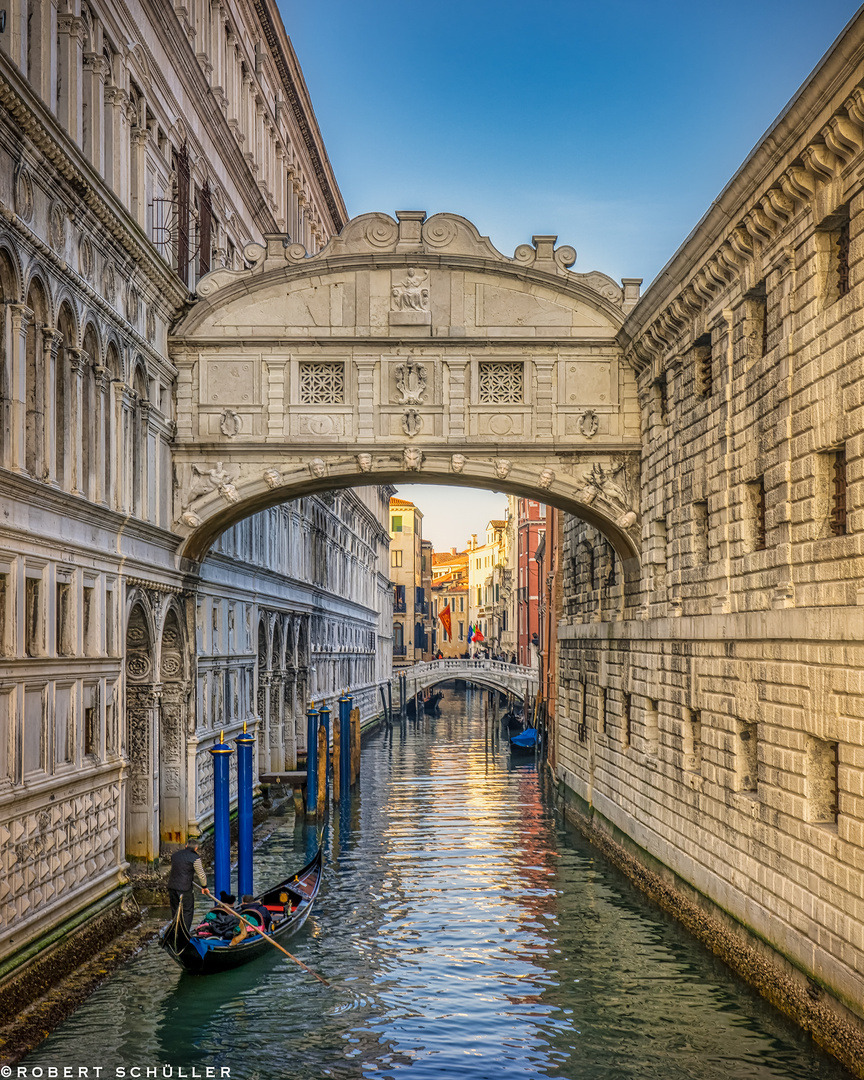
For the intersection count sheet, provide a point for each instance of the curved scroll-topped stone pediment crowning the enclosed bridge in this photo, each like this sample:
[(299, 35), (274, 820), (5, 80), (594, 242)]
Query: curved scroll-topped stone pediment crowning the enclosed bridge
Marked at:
[(407, 277)]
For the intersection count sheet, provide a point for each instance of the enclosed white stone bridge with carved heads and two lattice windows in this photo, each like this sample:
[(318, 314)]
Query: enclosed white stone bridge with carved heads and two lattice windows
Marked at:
[(407, 352)]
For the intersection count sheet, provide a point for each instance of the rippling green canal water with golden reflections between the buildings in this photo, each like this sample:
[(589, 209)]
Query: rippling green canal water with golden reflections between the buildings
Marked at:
[(467, 933)]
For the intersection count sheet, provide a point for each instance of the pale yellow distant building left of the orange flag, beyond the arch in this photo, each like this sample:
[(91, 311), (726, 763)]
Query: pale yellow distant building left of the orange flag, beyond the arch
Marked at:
[(412, 618)]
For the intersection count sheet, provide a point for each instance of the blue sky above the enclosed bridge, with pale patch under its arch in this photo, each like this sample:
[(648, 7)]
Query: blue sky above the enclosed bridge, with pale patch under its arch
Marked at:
[(612, 126)]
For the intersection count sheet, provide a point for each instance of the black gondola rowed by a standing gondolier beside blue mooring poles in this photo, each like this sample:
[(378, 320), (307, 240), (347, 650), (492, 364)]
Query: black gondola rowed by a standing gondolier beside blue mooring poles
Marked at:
[(290, 903)]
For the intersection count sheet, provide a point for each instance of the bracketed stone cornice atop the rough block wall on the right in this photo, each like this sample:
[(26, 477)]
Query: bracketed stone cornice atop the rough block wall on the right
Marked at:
[(808, 164)]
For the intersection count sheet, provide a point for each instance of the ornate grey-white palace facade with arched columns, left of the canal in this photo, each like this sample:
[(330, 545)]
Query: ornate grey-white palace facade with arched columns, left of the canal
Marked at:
[(142, 147)]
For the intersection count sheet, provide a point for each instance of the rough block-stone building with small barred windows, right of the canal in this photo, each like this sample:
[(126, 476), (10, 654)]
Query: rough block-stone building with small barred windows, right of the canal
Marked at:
[(712, 720)]
